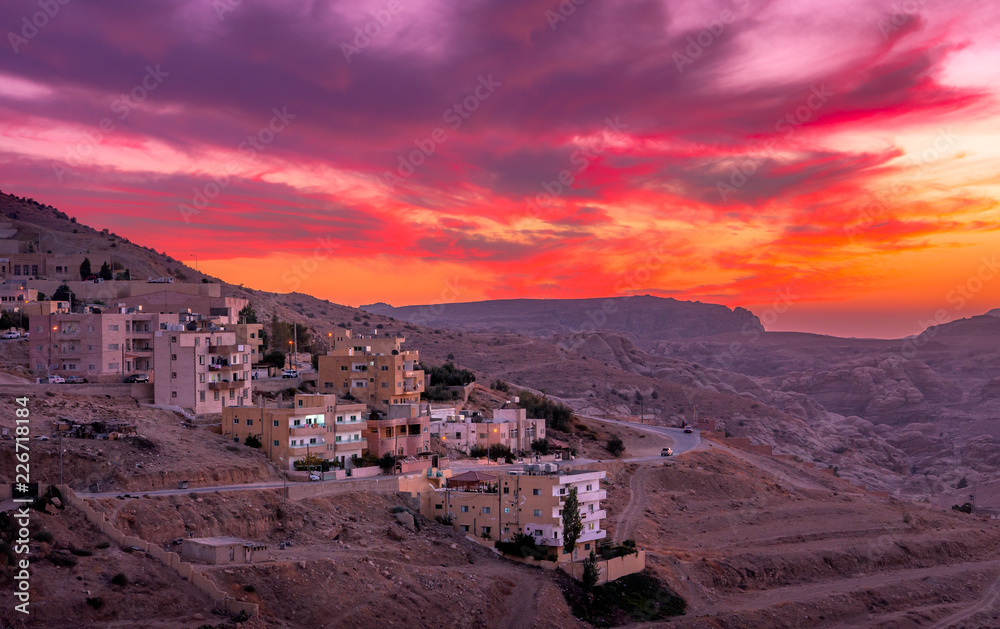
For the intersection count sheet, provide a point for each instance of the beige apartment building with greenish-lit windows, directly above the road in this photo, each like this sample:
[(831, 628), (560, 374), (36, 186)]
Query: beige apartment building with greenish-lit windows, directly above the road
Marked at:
[(311, 424)]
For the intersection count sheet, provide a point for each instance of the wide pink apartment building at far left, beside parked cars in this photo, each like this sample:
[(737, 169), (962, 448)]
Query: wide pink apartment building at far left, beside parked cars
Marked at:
[(102, 347)]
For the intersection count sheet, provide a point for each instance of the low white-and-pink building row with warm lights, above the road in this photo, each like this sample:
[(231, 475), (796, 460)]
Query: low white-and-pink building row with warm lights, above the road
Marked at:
[(509, 427)]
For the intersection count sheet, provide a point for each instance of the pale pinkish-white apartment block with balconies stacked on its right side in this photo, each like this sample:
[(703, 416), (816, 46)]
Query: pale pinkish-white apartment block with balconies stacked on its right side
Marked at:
[(201, 369)]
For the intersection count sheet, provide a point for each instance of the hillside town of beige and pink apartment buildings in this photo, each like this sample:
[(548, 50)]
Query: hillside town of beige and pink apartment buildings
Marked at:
[(351, 409)]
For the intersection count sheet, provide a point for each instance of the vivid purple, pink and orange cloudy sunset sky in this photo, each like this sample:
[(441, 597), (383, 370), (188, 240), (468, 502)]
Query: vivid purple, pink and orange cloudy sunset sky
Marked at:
[(840, 158)]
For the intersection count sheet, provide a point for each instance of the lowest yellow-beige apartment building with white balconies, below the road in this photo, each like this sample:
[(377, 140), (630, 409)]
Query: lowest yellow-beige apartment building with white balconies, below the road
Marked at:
[(529, 502)]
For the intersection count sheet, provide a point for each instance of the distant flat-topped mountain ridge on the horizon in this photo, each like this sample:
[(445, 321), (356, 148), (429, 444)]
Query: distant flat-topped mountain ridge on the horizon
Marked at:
[(644, 318)]
